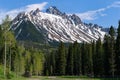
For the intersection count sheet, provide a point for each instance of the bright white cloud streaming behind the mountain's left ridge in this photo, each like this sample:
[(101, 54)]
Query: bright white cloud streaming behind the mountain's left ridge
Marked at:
[(13, 13)]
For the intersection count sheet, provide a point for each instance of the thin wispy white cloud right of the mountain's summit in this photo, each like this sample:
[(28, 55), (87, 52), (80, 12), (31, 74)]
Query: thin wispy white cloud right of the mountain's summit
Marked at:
[(94, 14)]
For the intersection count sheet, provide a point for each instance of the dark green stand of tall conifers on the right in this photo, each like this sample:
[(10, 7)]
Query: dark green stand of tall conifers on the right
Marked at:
[(95, 59)]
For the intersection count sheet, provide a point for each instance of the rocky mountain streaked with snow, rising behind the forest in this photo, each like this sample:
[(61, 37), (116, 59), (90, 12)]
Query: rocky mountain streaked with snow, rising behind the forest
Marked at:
[(54, 26)]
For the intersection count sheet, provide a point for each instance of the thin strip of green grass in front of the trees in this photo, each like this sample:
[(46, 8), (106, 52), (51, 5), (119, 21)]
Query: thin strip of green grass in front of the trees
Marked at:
[(60, 78)]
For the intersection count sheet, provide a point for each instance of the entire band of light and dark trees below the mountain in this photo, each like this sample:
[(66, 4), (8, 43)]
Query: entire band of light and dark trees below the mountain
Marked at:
[(95, 59)]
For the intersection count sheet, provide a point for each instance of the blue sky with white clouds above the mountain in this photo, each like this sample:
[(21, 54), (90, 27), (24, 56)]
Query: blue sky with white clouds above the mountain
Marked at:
[(101, 12)]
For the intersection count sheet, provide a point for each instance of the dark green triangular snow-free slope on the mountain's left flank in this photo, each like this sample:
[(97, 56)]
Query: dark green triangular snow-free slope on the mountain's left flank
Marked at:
[(29, 32)]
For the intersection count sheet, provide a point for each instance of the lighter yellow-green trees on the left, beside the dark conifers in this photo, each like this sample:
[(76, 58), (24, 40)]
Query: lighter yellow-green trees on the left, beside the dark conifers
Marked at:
[(18, 59)]
